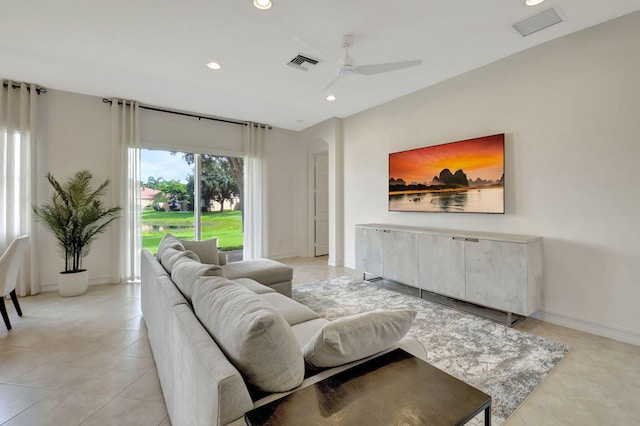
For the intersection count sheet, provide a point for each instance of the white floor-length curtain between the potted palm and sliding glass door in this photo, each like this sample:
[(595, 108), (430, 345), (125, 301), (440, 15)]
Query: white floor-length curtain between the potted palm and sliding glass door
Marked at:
[(125, 142)]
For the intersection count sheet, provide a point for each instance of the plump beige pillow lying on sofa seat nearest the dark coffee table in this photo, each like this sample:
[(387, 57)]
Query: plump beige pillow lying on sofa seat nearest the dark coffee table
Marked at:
[(355, 337)]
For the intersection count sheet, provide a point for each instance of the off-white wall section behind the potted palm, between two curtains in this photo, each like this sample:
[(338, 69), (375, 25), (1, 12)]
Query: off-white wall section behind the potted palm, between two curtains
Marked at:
[(74, 134)]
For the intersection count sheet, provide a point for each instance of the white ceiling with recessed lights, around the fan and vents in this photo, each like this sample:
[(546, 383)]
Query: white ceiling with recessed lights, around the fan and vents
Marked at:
[(155, 51)]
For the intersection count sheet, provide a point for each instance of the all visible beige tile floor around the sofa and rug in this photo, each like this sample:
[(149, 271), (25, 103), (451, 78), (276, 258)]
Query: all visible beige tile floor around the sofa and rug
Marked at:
[(86, 361)]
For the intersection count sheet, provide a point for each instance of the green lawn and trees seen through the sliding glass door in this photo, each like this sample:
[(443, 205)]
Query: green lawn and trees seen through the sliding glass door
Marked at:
[(168, 197)]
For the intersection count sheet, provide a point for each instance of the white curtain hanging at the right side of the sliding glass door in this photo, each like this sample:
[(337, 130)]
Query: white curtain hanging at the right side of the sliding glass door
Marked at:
[(256, 219)]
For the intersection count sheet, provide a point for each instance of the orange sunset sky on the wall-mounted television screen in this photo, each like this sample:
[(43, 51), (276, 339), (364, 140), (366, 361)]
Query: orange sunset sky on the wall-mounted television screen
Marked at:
[(478, 158)]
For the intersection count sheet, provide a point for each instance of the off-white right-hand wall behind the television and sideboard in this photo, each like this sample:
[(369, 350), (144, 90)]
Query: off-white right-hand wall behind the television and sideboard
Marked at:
[(571, 113)]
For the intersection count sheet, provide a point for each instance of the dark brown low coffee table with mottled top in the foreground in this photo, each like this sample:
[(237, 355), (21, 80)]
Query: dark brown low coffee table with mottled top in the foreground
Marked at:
[(393, 389)]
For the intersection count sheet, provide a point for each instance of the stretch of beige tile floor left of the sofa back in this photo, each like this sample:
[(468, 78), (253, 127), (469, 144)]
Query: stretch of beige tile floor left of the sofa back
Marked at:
[(82, 360)]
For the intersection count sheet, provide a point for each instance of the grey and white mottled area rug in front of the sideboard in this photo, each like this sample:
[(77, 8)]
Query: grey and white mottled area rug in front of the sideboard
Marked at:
[(503, 362)]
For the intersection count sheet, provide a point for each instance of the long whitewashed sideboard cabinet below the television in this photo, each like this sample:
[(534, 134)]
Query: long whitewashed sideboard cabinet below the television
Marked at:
[(499, 271)]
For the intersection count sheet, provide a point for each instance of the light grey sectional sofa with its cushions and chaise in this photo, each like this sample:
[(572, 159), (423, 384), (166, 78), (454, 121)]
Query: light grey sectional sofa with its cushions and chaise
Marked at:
[(223, 346)]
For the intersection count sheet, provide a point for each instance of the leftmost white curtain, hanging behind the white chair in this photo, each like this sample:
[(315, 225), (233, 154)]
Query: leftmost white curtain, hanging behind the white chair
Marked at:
[(18, 168)]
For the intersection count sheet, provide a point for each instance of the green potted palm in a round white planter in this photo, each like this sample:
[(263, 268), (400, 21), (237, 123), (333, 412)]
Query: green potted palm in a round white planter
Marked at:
[(75, 215)]
